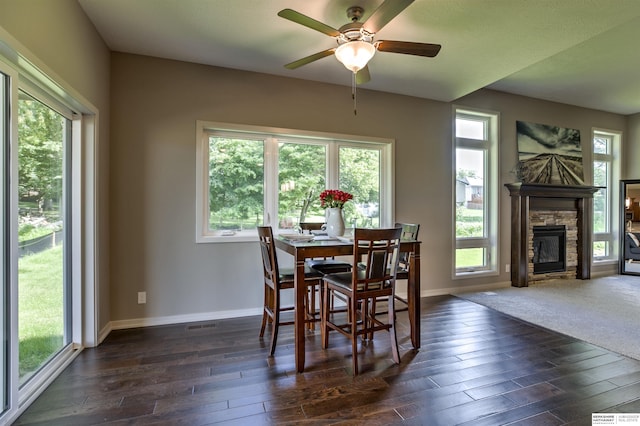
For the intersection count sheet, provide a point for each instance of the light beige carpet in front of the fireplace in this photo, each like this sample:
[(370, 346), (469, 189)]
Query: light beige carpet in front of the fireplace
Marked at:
[(603, 311)]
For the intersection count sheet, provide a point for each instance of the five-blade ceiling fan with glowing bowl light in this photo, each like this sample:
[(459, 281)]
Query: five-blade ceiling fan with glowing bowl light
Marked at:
[(356, 45)]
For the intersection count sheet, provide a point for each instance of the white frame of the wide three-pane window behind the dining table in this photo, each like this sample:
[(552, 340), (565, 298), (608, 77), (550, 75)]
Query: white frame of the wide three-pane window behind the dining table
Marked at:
[(272, 136)]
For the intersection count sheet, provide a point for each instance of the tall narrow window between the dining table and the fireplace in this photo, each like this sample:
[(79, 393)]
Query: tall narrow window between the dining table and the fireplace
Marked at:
[(475, 193)]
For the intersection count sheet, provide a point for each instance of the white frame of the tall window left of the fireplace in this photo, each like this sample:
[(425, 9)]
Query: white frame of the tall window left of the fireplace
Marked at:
[(489, 242)]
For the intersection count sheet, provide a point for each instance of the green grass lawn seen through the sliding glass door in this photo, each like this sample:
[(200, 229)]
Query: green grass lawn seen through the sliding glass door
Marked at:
[(40, 308)]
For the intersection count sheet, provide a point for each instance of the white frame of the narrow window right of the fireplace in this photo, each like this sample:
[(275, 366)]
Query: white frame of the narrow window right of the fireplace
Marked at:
[(612, 157)]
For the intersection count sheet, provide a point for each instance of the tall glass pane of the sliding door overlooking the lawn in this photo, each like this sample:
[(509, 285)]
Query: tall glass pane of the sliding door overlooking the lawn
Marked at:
[(44, 136)]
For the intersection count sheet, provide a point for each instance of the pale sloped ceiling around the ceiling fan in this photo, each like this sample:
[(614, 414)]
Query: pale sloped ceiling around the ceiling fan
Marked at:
[(579, 52)]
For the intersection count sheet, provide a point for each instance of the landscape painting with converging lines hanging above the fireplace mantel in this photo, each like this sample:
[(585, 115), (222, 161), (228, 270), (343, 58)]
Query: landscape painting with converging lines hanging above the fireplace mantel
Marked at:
[(549, 154)]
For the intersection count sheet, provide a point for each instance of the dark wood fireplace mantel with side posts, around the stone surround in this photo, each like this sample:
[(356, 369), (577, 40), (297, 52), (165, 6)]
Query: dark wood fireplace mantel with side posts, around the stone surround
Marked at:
[(528, 196)]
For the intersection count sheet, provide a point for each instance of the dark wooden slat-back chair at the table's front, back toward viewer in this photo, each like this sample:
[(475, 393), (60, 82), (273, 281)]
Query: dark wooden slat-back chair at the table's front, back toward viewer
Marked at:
[(378, 252)]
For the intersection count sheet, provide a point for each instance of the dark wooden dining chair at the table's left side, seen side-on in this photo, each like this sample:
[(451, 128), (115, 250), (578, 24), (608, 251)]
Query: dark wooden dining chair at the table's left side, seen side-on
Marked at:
[(277, 280)]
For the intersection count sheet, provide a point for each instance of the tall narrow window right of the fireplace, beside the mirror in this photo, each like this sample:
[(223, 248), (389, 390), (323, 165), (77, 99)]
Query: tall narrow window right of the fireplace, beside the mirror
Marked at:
[(606, 172)]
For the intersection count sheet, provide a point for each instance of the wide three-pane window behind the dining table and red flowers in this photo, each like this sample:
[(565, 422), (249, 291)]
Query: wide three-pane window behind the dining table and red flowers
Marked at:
[(250, 176)]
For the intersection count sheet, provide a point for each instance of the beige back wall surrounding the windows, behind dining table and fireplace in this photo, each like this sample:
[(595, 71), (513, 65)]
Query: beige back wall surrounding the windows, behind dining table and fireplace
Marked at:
[(155, 105)]
